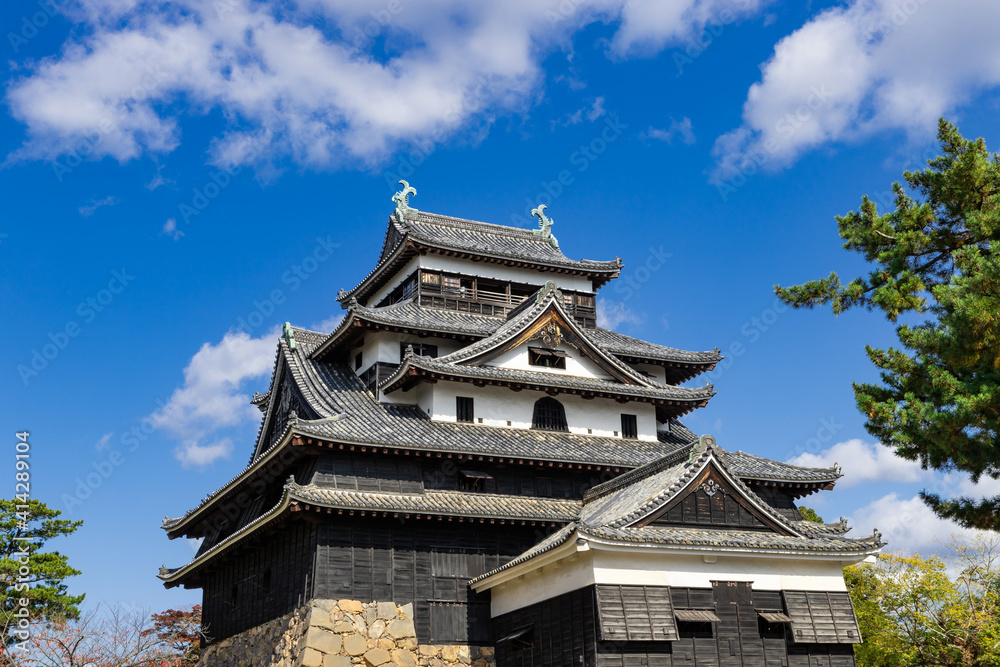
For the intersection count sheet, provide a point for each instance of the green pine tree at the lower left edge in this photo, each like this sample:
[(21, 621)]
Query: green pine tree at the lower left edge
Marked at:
[(43, 586)]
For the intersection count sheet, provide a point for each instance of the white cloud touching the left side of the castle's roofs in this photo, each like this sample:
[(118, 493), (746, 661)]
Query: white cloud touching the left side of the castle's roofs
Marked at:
[(212, 396)]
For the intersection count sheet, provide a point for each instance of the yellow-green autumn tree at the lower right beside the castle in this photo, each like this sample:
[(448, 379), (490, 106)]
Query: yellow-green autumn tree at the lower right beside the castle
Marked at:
[(912, 613)]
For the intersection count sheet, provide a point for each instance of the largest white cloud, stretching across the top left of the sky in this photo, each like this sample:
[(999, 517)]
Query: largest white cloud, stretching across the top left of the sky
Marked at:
[(305, 81)]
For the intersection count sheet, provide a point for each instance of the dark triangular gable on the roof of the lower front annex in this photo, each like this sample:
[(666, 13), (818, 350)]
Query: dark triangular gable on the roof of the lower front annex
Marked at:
[(711, 501)]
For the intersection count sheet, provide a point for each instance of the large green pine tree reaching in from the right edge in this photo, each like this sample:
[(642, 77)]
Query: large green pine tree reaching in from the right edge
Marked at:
[(935, 256)]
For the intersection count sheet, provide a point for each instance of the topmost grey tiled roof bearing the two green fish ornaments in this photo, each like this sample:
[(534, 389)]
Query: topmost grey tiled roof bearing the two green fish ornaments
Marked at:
[(488, 242)]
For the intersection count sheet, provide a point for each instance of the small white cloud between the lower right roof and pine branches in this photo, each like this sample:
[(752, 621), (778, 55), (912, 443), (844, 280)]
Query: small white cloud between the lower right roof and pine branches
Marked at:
[(907, 525)]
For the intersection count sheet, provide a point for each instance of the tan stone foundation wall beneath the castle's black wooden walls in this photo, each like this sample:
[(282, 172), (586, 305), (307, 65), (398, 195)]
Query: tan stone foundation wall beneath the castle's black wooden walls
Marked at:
[(341, 633)]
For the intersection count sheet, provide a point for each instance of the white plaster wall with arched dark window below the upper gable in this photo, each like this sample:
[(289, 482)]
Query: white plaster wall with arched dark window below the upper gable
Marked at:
[(498, 405)]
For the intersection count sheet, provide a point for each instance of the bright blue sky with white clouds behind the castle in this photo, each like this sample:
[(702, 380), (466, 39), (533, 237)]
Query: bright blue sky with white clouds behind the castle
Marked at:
[(181, 178)]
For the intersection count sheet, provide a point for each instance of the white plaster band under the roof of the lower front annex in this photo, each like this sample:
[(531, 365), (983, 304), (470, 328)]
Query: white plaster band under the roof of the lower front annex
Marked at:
[(598, 566)]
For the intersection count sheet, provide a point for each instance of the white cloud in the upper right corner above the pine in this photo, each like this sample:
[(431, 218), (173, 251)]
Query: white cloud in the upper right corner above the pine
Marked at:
[(870, 66)]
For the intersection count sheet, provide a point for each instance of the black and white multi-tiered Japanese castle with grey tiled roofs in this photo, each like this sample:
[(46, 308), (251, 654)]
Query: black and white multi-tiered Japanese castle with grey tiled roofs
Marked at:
[(470, 446)]
